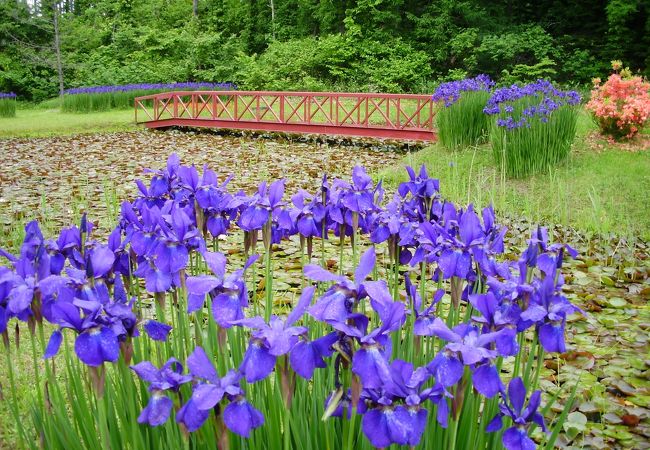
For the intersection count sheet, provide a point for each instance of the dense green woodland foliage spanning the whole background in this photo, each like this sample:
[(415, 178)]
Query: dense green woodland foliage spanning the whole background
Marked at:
[(387, 45)]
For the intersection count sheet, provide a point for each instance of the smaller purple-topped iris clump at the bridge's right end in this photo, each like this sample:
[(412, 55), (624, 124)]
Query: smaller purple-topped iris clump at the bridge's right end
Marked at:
[(461, 122)]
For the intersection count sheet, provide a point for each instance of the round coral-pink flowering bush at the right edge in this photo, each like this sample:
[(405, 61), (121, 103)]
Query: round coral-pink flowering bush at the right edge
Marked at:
[(620, 106)]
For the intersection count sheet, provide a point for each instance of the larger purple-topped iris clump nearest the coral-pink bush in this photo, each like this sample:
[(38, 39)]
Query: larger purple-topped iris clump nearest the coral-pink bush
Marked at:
[(534, 128)]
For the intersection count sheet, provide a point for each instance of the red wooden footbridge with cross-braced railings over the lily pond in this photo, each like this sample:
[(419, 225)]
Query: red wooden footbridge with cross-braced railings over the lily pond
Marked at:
[(394, 116)]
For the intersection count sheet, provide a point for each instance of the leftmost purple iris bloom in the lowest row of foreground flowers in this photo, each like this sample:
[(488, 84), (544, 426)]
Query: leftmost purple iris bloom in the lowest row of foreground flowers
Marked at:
[(168, 378)]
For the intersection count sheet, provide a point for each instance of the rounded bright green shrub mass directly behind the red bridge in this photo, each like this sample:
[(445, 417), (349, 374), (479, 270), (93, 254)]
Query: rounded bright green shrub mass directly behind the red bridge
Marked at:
[(344, 61)]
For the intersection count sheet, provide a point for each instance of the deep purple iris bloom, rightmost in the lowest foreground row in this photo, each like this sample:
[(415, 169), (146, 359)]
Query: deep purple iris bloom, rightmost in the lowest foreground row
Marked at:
[(516, 437)]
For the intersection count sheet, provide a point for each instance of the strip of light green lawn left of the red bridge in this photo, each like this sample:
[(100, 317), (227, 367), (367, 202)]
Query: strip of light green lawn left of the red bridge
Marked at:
[(37, 122)]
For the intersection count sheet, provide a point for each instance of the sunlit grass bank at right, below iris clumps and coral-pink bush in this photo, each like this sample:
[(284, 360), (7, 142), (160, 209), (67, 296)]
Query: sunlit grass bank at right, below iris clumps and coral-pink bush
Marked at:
[(599, 190)]
